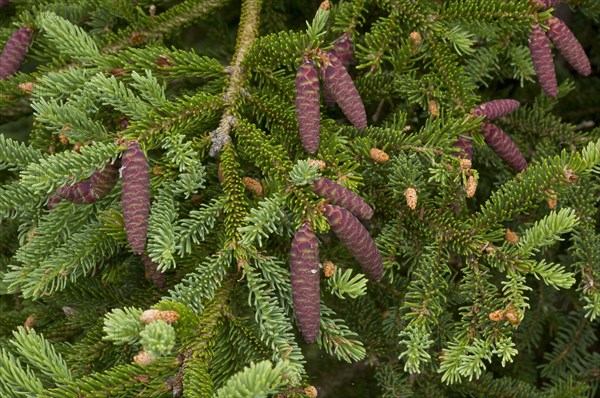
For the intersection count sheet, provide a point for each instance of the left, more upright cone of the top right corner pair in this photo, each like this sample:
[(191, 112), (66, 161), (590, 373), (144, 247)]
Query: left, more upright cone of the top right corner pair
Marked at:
[(541, 55)]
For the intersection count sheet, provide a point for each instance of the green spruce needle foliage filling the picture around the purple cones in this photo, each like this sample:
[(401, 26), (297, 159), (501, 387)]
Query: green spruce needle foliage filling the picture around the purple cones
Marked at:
[(207, 89)]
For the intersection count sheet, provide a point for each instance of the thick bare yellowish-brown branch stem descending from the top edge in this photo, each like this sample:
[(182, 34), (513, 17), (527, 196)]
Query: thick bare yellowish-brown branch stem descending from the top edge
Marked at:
[(247, 33)]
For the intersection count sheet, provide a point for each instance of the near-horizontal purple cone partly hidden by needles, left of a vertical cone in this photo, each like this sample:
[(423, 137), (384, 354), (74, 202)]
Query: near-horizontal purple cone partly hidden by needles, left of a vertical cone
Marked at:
[(93, 189)]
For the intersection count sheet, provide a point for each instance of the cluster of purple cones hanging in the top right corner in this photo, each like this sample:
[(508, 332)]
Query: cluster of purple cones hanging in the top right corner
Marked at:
[(564, 40)]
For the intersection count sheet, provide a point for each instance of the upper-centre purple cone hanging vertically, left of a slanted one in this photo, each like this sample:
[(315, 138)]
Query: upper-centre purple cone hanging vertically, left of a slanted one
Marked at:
[(307, 105)]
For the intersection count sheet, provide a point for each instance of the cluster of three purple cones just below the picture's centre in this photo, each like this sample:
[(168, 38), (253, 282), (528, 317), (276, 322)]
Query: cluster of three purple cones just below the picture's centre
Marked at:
[(341, 215)]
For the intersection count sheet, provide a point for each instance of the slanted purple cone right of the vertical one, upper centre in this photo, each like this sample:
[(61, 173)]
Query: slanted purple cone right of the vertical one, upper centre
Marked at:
[(340, 84)]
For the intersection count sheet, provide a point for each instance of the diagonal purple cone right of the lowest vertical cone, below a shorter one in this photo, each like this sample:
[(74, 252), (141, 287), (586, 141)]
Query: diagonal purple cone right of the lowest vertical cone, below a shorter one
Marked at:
[(357, 239)]
